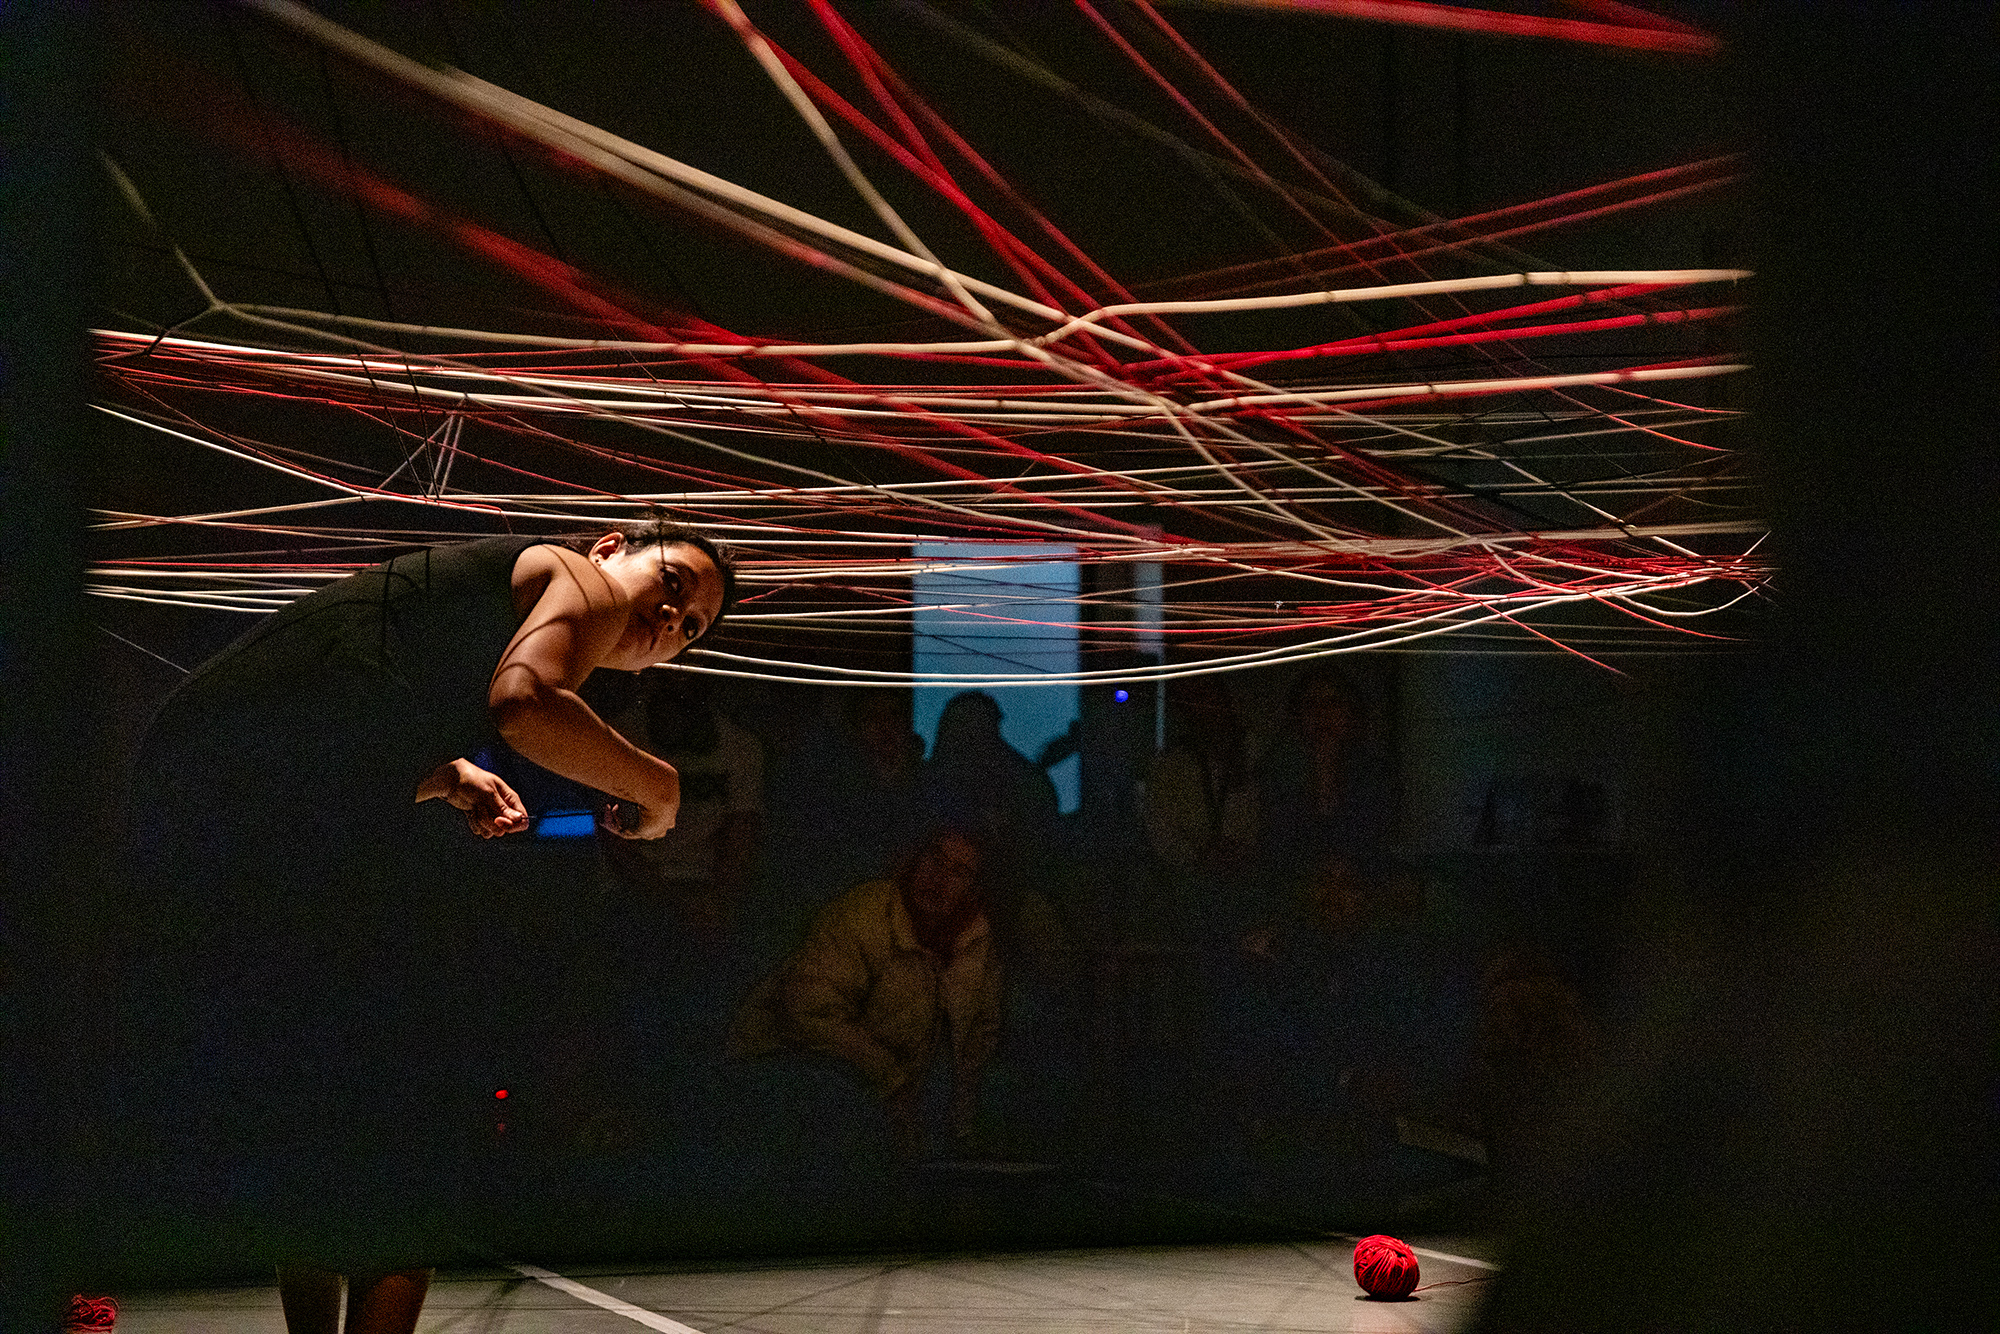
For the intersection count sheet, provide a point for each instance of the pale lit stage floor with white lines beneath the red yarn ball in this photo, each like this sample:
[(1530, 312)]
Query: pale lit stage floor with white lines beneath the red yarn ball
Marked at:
[(1291, 1287)]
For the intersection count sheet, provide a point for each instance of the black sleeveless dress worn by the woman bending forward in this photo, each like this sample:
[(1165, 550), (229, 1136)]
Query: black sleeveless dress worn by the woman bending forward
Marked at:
[(297, 913)]
